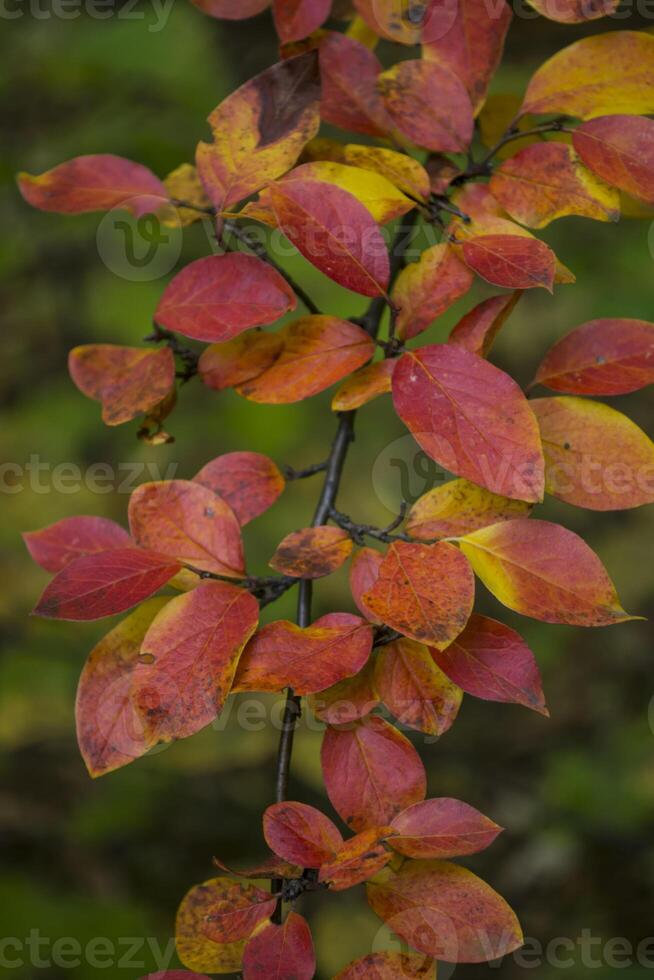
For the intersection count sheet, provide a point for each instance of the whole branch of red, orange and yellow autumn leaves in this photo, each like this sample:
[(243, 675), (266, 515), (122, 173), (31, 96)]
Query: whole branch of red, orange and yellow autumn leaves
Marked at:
[(480, 172)]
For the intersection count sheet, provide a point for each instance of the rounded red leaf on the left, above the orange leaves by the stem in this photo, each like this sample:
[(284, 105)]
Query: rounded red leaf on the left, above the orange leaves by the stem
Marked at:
[(220, 296)]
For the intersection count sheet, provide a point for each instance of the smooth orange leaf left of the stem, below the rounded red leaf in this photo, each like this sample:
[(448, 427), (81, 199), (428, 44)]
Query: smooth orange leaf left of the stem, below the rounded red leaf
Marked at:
[(318, 351)]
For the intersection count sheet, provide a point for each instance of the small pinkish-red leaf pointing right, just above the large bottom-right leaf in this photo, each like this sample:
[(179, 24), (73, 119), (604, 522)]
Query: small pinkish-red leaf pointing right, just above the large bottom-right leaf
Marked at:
[(442, 828)]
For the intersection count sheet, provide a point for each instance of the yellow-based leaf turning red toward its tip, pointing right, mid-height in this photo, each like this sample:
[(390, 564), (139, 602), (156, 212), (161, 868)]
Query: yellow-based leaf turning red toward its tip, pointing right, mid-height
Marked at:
[(544, 571)]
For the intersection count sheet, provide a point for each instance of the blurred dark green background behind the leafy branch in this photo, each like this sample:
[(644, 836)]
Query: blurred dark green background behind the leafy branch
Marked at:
[(100, 862)]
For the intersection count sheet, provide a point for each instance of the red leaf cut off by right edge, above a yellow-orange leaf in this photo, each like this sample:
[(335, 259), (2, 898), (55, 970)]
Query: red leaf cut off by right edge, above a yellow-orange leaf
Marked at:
[(601, 357)]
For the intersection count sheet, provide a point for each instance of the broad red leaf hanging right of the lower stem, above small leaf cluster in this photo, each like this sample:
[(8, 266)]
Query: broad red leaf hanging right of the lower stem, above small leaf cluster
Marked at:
[(371, 772)]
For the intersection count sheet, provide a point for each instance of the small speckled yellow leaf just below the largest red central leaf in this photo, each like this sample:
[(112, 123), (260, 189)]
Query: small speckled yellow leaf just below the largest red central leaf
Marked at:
[(458, 507)]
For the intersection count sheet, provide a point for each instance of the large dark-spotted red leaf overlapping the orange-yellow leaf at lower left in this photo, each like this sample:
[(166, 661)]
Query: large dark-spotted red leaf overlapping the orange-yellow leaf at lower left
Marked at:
[(189, 657)]
